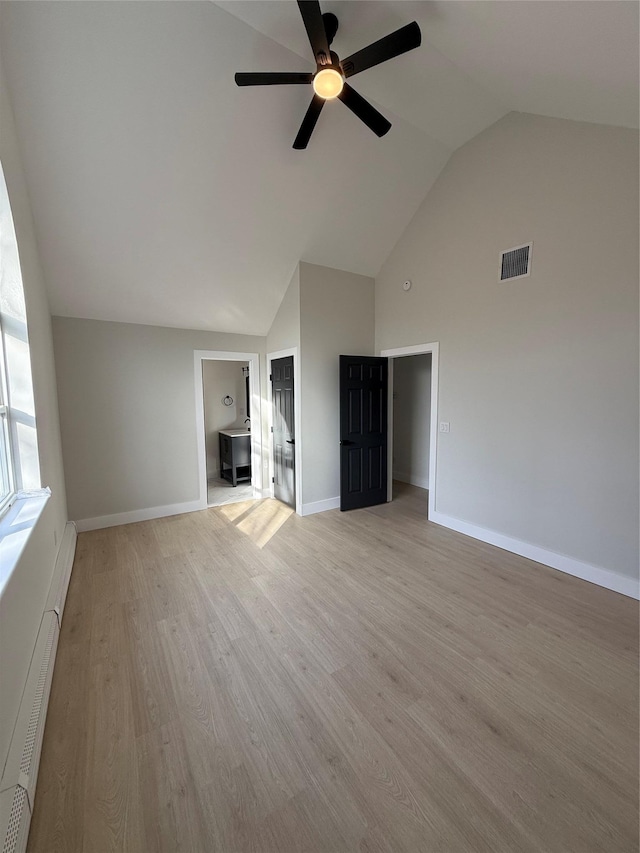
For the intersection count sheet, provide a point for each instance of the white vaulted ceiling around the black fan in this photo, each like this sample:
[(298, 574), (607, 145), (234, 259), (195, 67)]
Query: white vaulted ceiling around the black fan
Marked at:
[(164, 194)]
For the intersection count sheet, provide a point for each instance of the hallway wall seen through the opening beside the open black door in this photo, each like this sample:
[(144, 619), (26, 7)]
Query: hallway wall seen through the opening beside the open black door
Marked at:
[(411, 419)]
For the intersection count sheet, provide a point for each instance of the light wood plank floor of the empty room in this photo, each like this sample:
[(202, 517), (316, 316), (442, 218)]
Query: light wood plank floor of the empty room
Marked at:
[(242, 679)]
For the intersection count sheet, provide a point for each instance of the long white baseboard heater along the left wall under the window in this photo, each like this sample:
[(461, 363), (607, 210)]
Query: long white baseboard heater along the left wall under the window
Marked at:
[(18, 786)]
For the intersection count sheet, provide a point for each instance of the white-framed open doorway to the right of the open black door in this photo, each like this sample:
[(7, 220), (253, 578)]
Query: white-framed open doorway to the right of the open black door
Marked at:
[(413, 417)]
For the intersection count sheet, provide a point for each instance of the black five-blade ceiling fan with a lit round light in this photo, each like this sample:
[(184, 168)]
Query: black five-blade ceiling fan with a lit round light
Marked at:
[(329, 80)]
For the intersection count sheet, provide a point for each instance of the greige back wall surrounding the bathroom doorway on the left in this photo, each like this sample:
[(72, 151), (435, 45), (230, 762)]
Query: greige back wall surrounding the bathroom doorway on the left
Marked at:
[(127, 410)]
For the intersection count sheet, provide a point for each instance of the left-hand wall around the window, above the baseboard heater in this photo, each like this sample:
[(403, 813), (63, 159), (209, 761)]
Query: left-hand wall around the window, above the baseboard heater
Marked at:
[(24, 597)]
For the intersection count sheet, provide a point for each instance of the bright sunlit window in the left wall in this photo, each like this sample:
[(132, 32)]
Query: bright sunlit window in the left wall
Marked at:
[(19, 462)]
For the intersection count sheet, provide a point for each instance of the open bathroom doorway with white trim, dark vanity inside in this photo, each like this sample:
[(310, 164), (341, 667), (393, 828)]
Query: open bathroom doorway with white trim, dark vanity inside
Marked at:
[(229, 427)]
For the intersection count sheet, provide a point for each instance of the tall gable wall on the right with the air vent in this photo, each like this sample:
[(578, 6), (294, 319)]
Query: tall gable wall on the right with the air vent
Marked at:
[(538, 377)]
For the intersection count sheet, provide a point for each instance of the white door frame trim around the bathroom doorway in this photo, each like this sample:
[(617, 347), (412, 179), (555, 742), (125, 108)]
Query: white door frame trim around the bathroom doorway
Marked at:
[(255, 414)]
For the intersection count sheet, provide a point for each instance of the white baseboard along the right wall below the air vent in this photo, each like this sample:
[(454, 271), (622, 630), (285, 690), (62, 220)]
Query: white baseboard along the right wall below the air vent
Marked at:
[(570, 566)]
